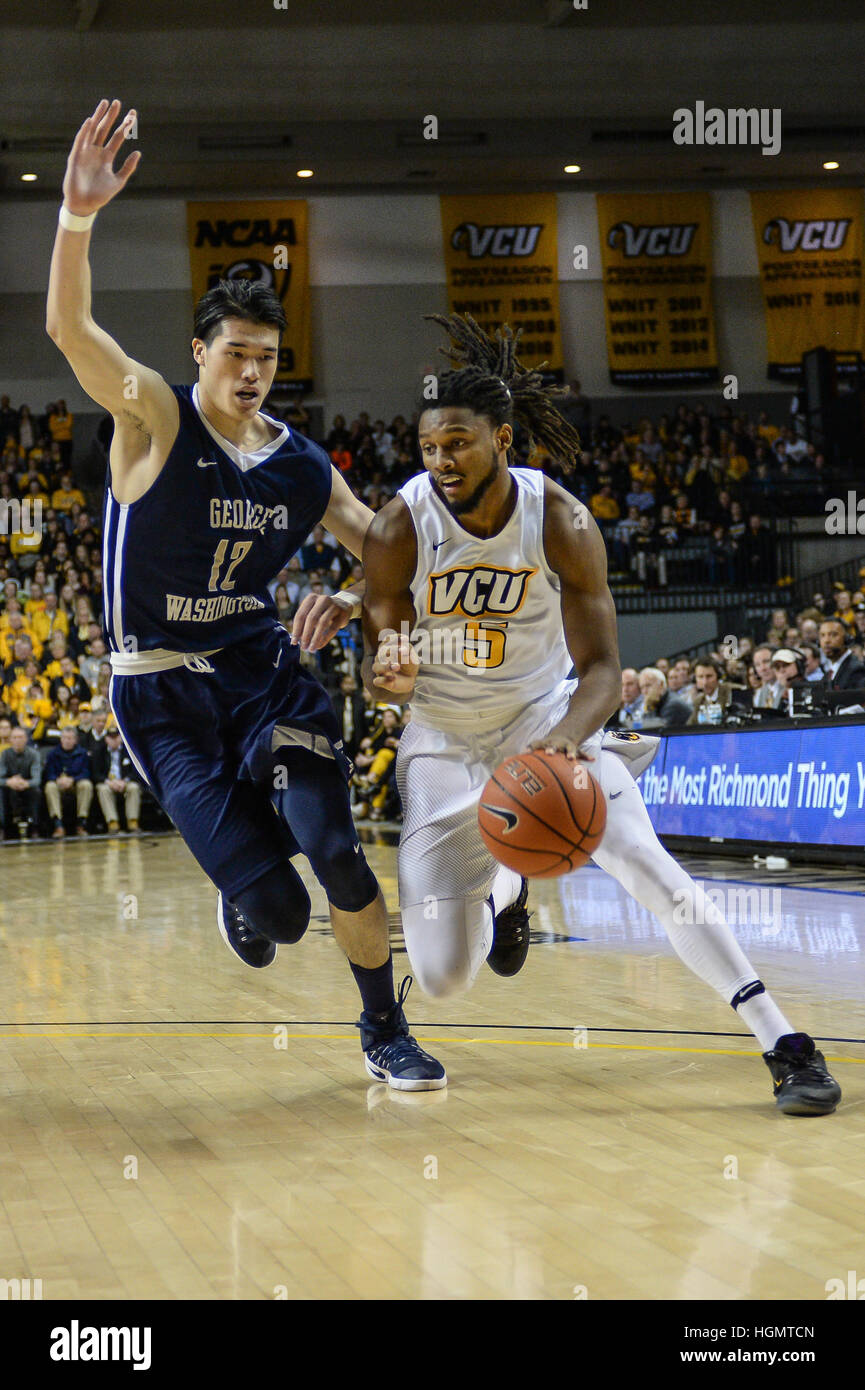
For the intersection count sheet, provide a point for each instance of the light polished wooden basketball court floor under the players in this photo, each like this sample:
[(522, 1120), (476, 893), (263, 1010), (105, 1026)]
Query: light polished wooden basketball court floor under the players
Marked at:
[(177, 1127)]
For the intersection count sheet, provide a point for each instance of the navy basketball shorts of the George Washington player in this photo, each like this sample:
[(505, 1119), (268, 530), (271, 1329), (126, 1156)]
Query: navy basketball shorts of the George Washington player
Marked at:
[(207, 742)]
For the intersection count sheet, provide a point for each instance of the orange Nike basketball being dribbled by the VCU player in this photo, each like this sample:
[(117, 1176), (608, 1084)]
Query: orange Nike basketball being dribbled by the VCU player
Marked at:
[(542, 815)]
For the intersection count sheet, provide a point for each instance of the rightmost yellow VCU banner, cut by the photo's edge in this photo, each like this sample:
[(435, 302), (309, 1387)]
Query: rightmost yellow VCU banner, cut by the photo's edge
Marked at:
[(810, 252)]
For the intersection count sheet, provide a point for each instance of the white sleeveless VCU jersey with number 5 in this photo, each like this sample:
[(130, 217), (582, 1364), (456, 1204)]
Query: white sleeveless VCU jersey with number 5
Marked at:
[(489, 633)]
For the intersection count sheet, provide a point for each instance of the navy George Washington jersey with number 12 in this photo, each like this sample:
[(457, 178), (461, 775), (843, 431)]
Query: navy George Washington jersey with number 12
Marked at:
[(187, 566)]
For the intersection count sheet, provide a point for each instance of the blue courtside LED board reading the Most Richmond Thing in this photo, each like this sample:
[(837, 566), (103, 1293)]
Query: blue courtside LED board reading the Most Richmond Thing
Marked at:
[(791, 786)]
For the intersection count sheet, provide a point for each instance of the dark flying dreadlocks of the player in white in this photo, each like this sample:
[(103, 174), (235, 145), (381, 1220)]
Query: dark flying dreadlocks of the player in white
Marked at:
[(489, 380)]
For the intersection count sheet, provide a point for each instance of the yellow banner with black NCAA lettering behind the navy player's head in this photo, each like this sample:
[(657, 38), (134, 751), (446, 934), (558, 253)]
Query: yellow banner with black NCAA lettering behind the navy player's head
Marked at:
[(265, 241)]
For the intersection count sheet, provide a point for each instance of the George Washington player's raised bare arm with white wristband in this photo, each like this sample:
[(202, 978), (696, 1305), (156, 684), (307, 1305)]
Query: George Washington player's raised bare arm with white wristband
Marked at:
[(137, 397)]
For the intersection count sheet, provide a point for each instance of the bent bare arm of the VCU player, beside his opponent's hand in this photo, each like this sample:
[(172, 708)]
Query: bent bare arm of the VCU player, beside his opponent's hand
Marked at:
[(390, 559)]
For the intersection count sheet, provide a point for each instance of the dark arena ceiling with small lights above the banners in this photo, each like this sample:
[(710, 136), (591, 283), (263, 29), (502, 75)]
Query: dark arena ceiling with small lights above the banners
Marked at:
[(236, 95)]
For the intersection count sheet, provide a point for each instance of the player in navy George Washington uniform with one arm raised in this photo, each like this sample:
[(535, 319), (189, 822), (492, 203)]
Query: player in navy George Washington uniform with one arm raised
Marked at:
[(207, 500)]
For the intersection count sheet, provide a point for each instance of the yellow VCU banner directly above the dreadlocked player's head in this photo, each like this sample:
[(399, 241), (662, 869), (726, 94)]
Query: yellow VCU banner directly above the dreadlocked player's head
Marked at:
[(501, 263)]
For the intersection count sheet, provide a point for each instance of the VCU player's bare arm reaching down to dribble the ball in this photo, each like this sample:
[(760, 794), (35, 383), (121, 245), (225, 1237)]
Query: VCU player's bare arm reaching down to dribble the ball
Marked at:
[(576, 553)]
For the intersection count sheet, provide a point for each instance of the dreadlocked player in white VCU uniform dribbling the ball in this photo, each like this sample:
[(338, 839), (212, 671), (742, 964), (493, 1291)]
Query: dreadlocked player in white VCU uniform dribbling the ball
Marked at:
[(500, 576)]
